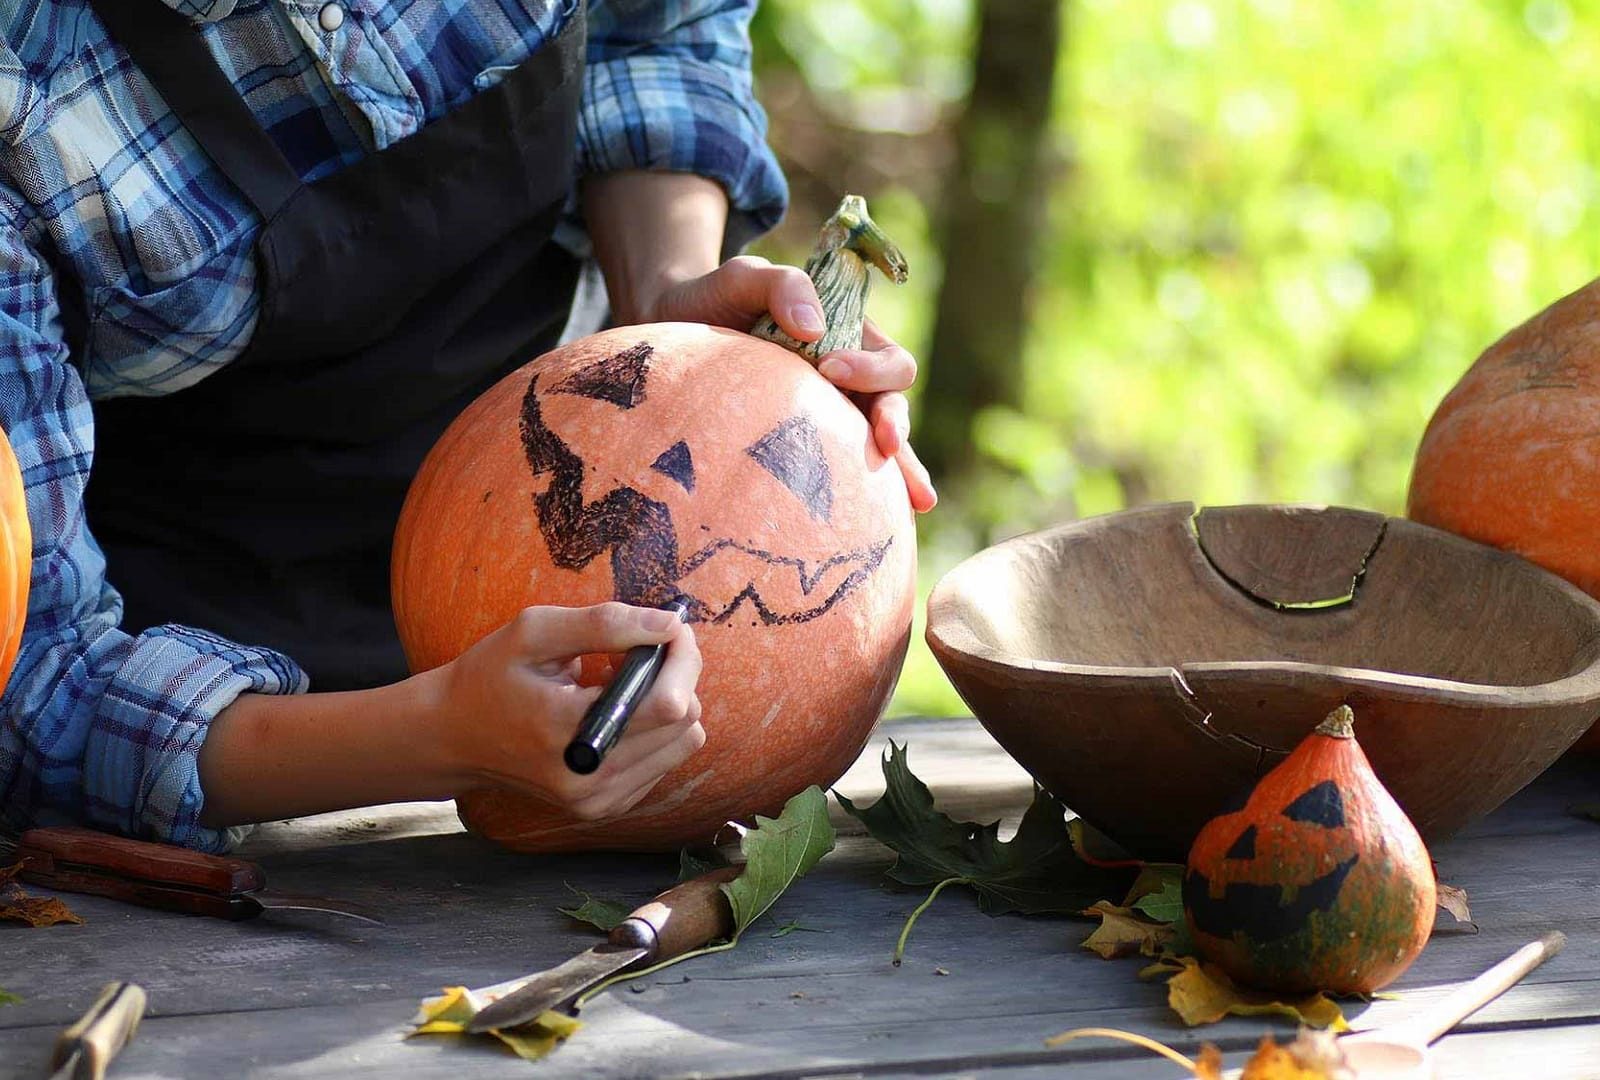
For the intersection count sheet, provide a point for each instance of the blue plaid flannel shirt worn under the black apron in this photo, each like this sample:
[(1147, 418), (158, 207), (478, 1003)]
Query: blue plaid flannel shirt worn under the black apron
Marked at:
[(100, 185)]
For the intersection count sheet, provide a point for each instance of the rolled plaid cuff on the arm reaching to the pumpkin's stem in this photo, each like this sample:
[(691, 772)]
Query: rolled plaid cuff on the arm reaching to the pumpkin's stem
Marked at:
[(682, 116)]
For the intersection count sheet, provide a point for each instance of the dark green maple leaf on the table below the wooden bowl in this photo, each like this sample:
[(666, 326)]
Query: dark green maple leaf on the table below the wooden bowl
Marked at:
[(1034, 873)]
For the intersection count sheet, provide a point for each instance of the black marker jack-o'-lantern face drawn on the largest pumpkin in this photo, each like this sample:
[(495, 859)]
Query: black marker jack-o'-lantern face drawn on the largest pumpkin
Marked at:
[(730, 506)]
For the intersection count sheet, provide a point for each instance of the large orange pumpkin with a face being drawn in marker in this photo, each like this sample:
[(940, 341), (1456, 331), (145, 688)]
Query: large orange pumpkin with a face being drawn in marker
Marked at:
[(676, 462)]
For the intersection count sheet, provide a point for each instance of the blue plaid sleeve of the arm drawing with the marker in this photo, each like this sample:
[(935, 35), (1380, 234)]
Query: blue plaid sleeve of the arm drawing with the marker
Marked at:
[(98, 726)]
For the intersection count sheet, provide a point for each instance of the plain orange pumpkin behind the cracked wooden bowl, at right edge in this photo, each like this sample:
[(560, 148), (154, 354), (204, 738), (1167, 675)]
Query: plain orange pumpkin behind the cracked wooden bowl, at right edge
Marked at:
[(1513, 455)]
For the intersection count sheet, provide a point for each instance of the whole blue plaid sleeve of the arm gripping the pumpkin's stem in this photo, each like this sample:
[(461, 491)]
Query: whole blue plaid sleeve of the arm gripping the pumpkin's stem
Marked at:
[(670, 87)]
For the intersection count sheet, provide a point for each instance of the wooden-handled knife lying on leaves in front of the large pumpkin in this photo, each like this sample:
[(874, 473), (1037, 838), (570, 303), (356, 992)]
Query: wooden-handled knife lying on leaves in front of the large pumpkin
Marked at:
[(686, 918)]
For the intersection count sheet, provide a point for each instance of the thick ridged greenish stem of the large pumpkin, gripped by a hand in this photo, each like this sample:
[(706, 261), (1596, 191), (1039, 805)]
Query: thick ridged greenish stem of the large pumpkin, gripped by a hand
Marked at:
[(846, 246)]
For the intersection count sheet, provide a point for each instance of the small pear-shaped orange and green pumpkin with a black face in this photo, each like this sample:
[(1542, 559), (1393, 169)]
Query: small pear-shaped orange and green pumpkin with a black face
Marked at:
[(1319, 882)]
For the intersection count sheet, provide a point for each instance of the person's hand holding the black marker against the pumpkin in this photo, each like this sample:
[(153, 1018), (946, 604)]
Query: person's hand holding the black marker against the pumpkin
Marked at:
[(513, 703)]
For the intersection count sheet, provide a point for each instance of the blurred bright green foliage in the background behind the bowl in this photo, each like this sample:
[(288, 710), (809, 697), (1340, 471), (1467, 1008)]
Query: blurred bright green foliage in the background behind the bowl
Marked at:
[(1273, 233)]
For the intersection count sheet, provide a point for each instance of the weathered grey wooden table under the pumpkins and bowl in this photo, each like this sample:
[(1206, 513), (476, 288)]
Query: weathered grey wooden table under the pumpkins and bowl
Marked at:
[(324, 998)]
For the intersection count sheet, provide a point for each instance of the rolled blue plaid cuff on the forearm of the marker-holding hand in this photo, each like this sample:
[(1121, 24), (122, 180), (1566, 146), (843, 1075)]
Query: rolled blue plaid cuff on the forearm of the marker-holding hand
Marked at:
[(142, 764)]
